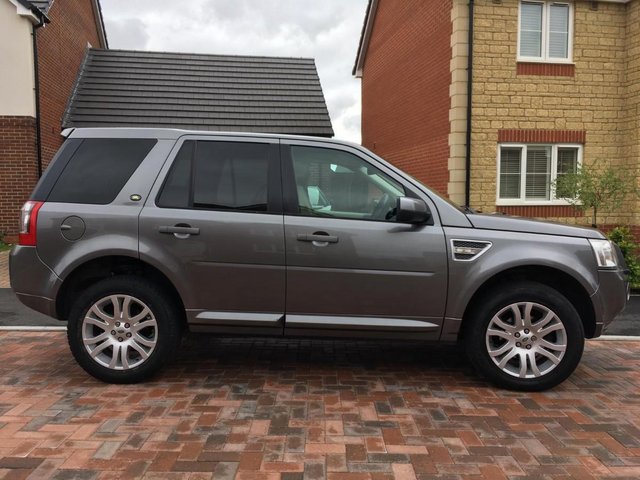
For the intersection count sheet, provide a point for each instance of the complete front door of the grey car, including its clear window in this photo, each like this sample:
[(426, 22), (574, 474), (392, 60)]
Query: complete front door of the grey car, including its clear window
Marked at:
[(351, 268)]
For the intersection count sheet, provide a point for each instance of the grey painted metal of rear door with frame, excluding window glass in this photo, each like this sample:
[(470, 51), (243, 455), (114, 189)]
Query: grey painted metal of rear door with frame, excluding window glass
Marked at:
[(235, 264)]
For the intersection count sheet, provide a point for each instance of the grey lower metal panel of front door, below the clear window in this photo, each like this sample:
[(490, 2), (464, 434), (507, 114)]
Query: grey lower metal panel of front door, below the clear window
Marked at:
[(371, 271)]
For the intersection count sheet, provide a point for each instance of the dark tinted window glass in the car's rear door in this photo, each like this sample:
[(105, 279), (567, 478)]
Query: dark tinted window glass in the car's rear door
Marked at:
[(218, 175)]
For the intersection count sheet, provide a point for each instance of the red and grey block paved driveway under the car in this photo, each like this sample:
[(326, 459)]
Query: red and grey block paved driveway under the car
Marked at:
[(293, 409)]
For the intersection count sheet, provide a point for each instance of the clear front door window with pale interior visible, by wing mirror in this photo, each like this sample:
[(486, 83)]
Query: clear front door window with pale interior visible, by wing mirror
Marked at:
[(335, 183)]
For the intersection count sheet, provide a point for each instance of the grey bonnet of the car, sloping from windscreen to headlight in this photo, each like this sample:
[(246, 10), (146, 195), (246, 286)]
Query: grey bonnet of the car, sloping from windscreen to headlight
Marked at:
[(528, 225)]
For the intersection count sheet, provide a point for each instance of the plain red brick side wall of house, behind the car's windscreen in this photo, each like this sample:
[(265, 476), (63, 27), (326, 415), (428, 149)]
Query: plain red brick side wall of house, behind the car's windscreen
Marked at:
[(405, 88)]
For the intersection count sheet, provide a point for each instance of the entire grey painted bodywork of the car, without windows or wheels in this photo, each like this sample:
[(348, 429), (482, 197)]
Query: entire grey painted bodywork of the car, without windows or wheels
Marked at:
[(384, 279)]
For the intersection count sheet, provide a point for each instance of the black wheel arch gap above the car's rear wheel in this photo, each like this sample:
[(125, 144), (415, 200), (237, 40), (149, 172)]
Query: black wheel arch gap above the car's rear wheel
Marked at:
[(96, 269)]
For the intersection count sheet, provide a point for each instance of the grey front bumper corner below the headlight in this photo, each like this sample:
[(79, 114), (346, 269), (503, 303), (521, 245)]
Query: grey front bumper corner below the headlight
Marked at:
[(610, 299)]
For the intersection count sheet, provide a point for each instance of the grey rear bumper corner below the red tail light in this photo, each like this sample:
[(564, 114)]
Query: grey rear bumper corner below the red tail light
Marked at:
[(33, 282)]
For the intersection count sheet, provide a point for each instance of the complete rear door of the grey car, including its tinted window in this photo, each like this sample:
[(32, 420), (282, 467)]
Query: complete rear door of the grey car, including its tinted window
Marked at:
[(214, 226)]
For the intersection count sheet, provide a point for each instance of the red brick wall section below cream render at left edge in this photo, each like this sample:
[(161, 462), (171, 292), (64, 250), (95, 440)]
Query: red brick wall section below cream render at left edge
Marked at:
[(18, 172)]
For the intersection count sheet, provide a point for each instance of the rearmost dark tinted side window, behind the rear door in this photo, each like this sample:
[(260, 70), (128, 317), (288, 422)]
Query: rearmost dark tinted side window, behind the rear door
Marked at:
[(99, 169)]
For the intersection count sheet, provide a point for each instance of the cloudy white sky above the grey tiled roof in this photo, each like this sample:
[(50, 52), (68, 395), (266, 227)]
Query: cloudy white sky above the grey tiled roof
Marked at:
[(327, 30)]
